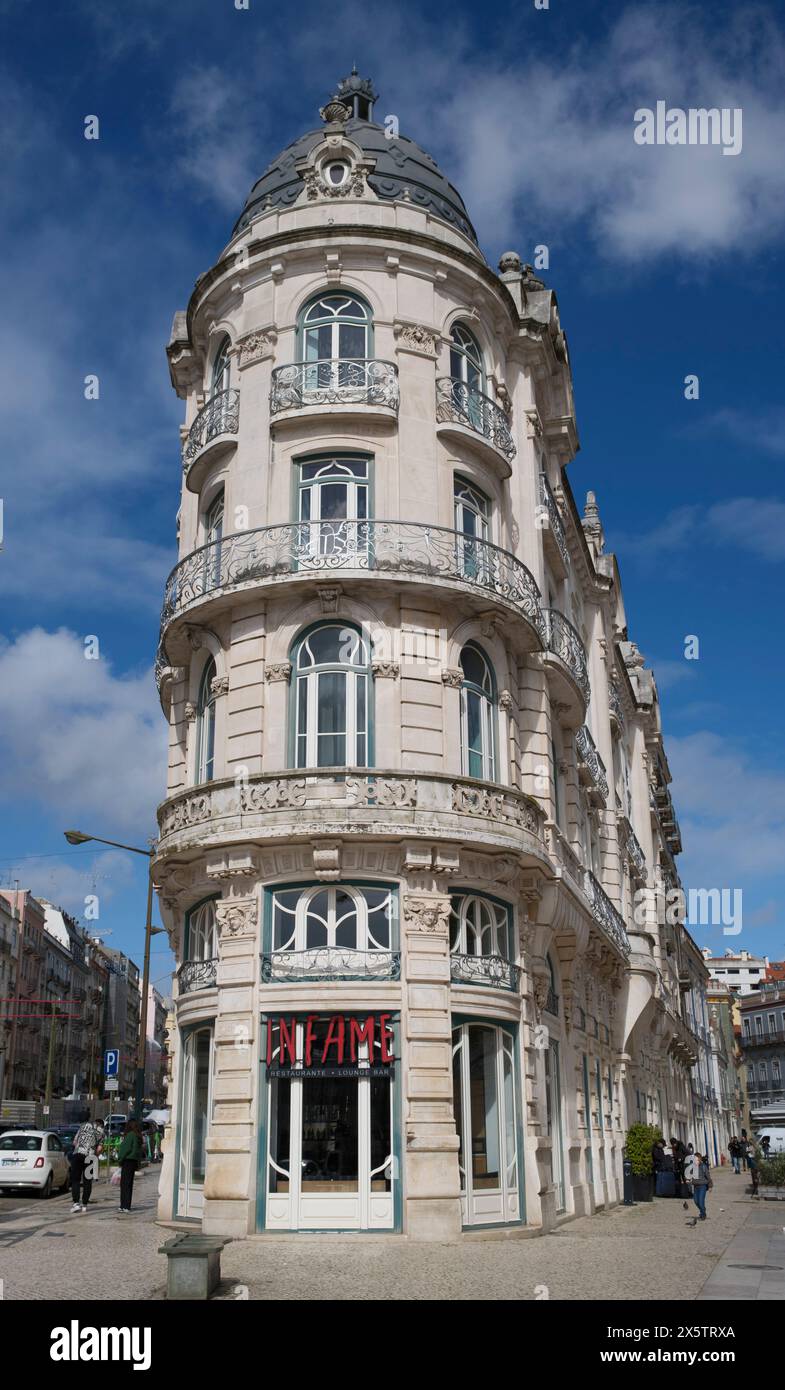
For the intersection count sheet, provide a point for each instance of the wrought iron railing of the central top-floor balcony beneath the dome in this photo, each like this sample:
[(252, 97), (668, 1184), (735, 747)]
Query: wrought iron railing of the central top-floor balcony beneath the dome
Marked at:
[(334, 382)]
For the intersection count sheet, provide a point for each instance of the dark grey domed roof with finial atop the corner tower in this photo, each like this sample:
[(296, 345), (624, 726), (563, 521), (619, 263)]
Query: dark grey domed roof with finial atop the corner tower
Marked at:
[(402, 169)]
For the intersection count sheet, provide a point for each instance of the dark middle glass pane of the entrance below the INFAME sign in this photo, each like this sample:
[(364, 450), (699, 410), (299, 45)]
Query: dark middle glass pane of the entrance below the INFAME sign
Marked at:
[(330, 1135)]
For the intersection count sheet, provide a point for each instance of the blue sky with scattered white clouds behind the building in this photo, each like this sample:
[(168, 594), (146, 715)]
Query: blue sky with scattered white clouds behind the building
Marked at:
[(666, 262)]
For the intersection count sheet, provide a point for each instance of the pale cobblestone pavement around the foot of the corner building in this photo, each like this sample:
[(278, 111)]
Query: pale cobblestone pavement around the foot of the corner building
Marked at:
[(648, 1252)]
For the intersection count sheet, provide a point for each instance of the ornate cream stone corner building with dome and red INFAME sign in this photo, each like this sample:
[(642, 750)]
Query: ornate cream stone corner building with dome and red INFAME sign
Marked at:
[(416, 765)]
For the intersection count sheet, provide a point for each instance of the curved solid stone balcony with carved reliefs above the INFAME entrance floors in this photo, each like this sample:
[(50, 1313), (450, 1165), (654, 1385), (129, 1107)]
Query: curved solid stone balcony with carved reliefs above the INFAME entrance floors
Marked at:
[(297, 806)]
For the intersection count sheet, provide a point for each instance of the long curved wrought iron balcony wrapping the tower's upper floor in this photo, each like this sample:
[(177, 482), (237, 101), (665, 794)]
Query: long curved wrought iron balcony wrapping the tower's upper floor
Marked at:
[(370, 551)]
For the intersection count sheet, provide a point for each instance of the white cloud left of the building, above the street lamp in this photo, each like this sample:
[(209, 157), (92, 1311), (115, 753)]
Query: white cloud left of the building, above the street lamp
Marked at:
[(77, 740)]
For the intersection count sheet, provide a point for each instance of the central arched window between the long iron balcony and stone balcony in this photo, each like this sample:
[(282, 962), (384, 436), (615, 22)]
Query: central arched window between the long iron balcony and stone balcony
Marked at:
[(333, 698)]
